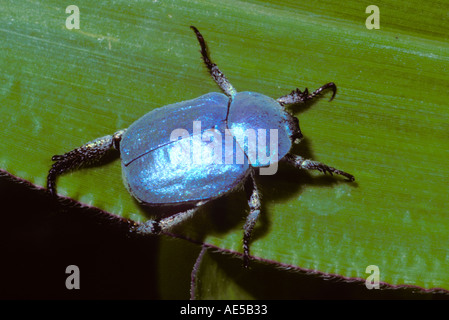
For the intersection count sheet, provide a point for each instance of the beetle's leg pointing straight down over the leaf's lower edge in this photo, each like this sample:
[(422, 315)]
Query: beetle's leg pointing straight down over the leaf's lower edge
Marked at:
[(254, 207)]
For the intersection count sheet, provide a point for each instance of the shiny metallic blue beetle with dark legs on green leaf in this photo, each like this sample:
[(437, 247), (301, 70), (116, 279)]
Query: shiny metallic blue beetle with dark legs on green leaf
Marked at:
[(157, 164)]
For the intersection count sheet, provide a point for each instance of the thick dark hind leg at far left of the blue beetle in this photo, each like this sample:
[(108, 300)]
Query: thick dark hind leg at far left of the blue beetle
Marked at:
[(89, 153)]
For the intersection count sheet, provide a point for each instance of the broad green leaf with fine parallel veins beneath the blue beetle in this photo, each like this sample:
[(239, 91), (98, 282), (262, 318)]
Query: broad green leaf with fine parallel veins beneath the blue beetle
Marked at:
[(388, 124)]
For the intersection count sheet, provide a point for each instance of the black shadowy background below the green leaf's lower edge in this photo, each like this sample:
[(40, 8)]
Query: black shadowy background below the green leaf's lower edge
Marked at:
[(40, 237)]
